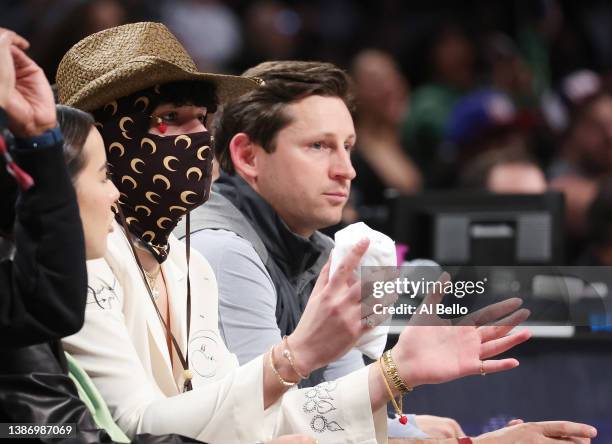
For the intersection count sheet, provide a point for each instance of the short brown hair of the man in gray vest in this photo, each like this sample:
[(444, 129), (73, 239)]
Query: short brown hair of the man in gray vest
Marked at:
[(261, 113)]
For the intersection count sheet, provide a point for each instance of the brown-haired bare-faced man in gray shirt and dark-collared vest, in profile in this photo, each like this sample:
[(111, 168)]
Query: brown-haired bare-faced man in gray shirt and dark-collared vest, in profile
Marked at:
[(284, 151)]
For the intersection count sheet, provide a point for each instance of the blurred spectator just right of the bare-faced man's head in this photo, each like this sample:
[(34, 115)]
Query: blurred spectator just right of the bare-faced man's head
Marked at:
[(383, 169)]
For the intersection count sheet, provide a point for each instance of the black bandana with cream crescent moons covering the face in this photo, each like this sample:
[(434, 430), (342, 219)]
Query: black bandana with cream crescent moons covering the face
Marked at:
[(160, 178)]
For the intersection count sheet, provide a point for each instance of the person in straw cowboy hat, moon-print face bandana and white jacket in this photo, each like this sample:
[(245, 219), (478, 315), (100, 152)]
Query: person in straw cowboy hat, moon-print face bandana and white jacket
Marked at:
[(151, 333)]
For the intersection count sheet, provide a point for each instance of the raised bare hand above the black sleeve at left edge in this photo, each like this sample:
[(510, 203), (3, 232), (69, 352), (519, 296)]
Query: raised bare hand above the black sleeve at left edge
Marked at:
[(30, 105)]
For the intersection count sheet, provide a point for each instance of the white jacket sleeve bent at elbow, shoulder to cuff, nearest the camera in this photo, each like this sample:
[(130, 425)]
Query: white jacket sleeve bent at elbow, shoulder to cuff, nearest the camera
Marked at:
[(105, 350)]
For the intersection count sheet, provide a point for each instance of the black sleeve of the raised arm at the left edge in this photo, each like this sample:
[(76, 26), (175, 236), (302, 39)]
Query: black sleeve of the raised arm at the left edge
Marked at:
[(43, 287)]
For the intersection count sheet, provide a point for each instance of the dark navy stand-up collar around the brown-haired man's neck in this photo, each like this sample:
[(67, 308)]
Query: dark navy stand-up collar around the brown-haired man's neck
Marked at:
[(292, 253)]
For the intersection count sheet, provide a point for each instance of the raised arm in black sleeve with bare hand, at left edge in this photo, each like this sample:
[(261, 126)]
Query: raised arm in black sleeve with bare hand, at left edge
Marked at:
[(46, 281)]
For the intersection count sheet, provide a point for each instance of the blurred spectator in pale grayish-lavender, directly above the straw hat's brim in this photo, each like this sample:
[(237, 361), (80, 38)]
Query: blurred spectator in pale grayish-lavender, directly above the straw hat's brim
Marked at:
[(210, 22)]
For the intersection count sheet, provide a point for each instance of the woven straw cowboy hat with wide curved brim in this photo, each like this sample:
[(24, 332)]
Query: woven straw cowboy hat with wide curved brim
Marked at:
[(119, 61)]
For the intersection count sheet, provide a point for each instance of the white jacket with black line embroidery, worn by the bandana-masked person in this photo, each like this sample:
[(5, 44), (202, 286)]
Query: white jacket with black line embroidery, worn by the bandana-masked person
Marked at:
[(122, 347)]
